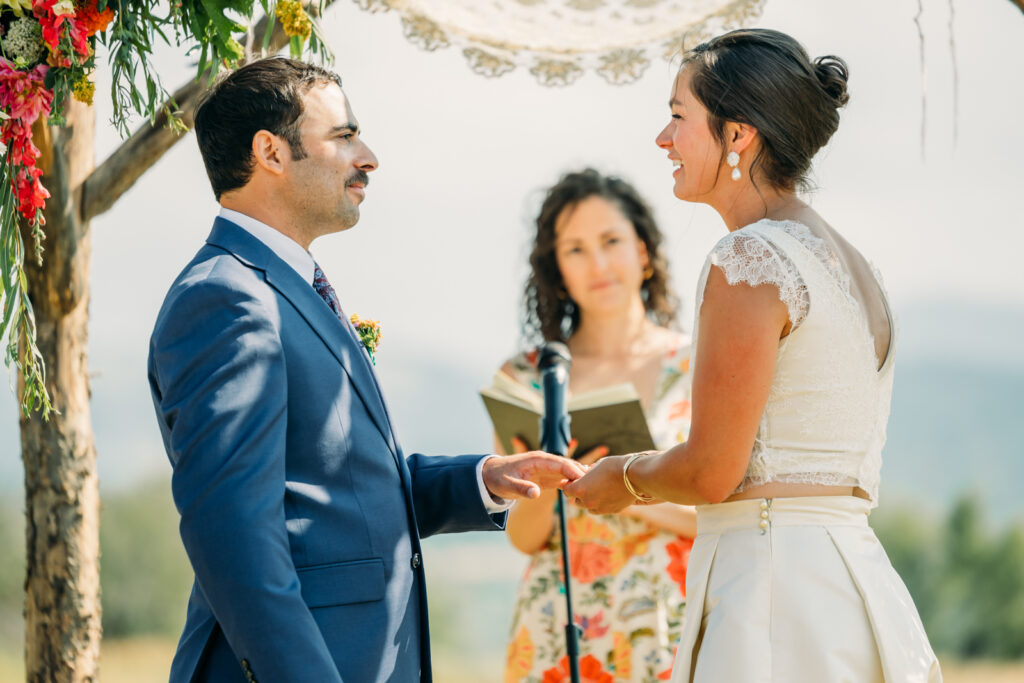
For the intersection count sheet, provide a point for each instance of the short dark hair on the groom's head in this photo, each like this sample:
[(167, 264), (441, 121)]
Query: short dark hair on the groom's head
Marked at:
[(266, 95)]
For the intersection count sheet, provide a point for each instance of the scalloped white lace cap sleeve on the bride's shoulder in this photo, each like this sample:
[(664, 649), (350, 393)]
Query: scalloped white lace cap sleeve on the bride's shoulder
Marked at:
[(750, 259)]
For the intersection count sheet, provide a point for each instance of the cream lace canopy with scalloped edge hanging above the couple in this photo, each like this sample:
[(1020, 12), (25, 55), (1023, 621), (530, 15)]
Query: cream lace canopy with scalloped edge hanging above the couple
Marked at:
[(559, 40)]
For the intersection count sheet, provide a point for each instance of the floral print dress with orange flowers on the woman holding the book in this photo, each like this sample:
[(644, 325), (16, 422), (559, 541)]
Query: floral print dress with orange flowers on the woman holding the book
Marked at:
[(629, 578)]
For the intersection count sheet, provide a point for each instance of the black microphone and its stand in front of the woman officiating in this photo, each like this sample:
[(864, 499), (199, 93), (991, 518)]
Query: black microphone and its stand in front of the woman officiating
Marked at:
[(554, 364)]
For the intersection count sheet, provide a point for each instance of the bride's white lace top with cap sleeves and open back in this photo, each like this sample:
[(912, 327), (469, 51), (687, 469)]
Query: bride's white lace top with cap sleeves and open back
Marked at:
[(829, 405)]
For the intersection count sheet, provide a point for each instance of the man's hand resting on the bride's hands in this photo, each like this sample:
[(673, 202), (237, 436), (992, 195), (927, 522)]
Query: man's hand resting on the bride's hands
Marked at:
[(524, 476)]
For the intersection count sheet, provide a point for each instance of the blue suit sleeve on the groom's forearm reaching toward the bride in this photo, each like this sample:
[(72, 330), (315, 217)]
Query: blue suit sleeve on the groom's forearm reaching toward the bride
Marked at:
[(447, 497)]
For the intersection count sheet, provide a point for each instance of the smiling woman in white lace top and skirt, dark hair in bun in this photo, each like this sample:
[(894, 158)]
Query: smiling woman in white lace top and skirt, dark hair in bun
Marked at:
[(792, 386)]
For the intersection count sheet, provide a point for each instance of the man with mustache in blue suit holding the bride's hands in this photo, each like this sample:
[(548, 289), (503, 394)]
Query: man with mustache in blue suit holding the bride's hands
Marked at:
[(301, 515)]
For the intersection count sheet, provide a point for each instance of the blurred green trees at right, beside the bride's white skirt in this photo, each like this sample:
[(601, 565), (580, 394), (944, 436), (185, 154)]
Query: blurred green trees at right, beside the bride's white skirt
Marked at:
[(967, 582)]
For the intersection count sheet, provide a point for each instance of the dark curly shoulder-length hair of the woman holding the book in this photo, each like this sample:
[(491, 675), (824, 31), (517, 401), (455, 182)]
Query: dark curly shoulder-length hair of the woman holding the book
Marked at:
[(549, 315)]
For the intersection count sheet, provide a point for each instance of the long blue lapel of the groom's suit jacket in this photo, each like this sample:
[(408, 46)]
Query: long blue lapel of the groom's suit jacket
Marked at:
[(338, 337)]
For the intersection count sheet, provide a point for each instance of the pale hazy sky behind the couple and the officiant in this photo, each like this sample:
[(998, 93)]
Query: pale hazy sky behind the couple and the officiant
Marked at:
[(440, 254)]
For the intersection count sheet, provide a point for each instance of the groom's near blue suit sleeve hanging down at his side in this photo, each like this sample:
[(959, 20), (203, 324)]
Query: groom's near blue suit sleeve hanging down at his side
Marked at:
[(218, 373)]
